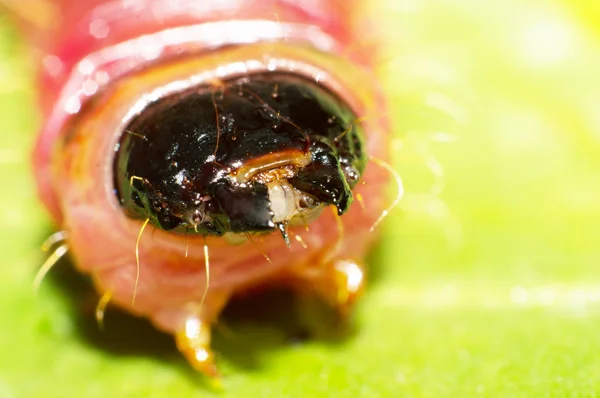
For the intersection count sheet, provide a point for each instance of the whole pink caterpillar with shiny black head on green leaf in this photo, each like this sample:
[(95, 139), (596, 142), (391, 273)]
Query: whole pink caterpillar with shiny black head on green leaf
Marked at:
[(193, 151)]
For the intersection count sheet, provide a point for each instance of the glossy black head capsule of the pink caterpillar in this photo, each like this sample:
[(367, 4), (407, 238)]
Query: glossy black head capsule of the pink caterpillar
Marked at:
[(251, 154)]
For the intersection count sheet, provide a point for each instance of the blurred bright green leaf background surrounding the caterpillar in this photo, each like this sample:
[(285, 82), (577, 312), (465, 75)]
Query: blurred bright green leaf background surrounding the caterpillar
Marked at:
[(487, 287)]
